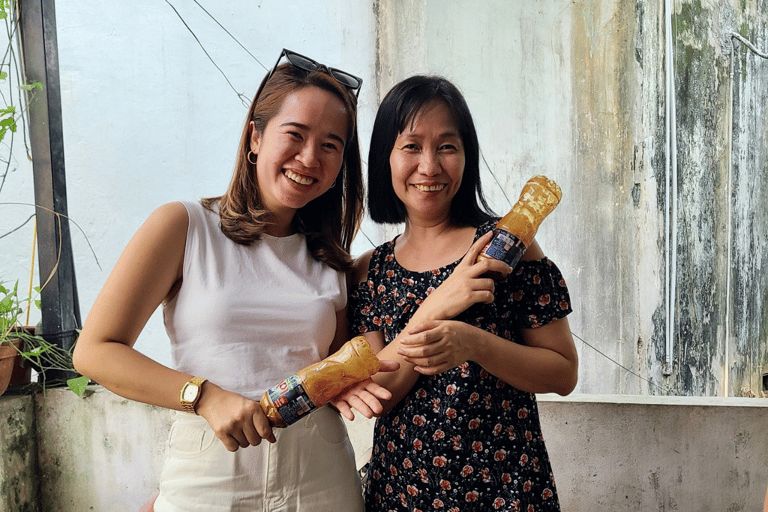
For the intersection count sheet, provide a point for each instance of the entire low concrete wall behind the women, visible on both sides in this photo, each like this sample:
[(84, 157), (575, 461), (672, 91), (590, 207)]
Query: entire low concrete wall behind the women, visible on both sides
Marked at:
[(609, 453)]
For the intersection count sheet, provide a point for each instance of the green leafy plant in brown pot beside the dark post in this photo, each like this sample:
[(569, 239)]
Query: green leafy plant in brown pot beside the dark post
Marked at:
[(21, 349)]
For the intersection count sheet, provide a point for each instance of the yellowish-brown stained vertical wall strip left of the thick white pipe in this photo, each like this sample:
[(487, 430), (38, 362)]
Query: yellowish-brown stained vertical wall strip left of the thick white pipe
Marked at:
[(604, 43)]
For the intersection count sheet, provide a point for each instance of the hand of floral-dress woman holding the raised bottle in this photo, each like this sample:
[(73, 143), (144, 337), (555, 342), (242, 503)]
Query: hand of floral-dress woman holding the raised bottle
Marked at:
[(465, 286)]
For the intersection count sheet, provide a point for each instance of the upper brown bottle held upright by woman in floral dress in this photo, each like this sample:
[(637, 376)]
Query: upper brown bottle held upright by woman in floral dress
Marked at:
[(514, 232)]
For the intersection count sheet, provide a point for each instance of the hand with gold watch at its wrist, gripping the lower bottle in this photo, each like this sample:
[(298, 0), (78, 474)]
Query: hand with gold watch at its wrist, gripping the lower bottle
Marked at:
[(237, 421)]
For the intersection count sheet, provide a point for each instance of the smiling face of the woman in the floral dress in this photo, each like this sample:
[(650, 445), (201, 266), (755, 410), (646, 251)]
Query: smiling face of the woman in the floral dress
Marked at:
[(427, 163)]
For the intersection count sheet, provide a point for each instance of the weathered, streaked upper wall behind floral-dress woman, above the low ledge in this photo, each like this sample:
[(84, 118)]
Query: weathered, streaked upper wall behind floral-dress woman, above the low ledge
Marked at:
[(576, 90)]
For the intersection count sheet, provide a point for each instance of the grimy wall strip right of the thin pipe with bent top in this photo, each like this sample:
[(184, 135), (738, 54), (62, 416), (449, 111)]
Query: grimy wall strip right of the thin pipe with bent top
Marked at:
[(749, 223)]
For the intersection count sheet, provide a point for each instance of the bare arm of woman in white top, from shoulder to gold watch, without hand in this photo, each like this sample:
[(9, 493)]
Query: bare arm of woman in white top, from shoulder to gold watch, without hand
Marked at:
[(142, 278)]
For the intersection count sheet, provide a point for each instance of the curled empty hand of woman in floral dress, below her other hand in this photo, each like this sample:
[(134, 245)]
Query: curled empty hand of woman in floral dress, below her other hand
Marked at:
[(436, 346)]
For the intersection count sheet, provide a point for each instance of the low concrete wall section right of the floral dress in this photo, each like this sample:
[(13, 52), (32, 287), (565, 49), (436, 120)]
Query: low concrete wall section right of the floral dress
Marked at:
[(632, 453)]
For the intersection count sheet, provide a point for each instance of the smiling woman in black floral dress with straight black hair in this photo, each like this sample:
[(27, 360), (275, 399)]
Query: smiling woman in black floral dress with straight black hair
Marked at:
[(461, 432)]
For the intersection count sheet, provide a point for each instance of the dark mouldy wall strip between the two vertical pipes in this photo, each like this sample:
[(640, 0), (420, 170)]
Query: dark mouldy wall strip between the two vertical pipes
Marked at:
[(701, 92)]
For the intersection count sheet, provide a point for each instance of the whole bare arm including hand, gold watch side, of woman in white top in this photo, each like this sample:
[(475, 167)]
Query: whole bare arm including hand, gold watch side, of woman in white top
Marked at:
[(145, 274)]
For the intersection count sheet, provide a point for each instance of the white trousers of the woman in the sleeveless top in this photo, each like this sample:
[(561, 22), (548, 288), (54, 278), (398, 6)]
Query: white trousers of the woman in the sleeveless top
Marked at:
[(310, 468)]
